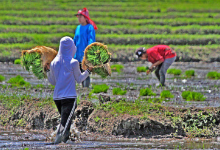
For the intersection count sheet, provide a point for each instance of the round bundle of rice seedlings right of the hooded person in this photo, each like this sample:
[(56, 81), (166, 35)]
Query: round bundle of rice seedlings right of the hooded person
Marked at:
[(96, 55)]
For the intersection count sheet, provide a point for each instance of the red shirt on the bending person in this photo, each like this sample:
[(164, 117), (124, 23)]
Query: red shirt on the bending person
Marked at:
[(159, 52)]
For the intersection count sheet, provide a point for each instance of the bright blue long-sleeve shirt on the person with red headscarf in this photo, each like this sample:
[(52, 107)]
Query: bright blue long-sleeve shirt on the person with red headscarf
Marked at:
[(84, 35)]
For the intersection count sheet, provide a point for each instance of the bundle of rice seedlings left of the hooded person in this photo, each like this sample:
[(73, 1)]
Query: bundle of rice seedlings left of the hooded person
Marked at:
[(35, 60)]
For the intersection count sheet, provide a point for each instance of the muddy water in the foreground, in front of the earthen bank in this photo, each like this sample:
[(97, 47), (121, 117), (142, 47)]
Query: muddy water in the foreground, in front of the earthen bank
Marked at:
[(37, 140)]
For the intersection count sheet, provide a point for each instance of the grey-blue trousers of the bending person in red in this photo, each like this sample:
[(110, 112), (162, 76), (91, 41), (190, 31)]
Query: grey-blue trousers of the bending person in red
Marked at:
[(161, 70)]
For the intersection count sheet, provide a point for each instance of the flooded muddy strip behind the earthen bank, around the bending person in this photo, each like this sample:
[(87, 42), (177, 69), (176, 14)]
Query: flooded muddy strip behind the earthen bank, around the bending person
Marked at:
[(132, 81)]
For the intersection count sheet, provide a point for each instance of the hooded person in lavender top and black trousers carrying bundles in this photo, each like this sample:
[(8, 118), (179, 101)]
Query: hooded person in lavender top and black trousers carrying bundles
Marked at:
[(63, 72)]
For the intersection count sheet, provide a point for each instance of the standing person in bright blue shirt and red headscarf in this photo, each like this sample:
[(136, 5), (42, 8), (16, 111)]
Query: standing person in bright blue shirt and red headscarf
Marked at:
[(84, 35)]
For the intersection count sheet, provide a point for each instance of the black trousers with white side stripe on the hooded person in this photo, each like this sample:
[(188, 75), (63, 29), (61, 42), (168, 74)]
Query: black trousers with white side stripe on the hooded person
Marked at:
[(64, 107)]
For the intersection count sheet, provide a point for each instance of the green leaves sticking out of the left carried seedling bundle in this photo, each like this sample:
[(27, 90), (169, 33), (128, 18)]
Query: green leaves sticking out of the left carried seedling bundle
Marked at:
[(32, 62)]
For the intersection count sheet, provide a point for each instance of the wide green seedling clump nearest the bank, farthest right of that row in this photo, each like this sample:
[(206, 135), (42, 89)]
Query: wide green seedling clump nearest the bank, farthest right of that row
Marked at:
[(193, 96)]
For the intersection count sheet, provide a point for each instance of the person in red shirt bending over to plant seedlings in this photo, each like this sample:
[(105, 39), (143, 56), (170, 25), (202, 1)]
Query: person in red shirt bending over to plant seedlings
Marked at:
[(161, 57)]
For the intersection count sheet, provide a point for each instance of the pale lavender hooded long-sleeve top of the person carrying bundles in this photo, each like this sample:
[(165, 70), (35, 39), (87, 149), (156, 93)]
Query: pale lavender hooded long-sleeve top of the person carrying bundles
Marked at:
[(65, 72)]
